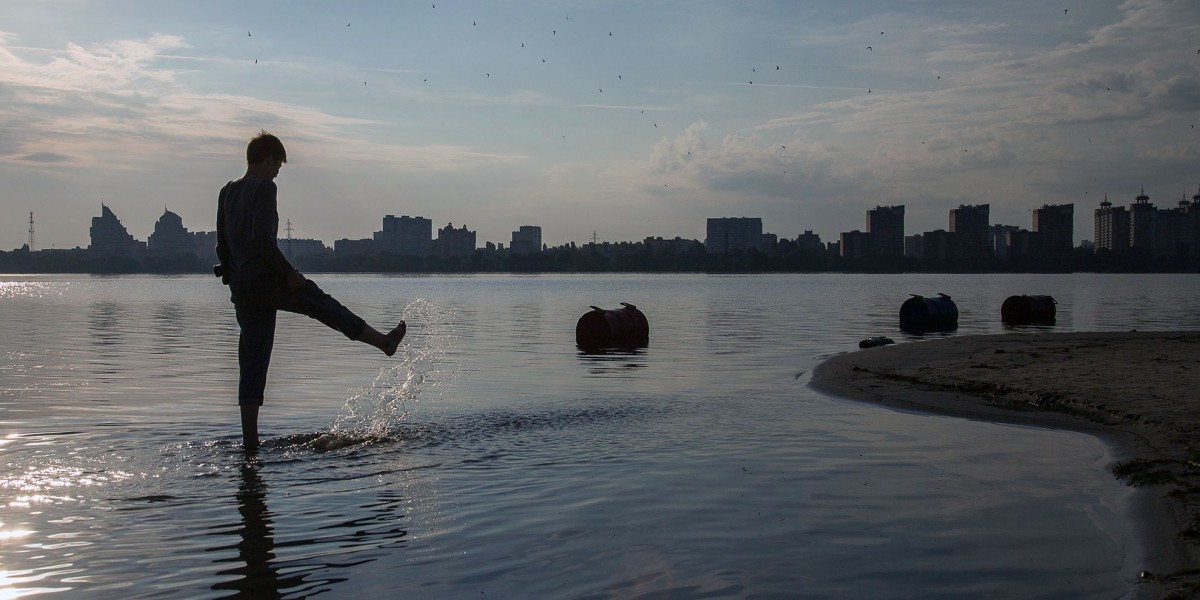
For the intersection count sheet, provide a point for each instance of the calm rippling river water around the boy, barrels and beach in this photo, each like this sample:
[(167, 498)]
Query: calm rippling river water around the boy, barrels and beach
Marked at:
[(491, 459)]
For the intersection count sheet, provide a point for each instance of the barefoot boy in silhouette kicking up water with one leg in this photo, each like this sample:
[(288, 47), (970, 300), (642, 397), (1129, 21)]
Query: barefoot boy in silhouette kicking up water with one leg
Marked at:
[(262, 281)]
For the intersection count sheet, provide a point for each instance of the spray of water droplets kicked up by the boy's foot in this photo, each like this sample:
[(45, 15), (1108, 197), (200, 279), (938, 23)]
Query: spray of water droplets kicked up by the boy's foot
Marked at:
[(375, 412)]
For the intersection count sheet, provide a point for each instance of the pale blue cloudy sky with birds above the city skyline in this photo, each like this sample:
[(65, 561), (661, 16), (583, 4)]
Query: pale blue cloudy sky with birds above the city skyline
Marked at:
[(603, 119)]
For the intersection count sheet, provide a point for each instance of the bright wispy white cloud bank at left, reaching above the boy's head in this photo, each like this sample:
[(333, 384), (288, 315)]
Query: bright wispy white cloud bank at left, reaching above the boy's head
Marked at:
[(116, 106)]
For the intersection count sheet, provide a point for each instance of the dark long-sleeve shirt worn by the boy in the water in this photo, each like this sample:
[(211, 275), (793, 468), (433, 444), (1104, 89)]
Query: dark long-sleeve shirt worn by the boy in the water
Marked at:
[(248, 230)]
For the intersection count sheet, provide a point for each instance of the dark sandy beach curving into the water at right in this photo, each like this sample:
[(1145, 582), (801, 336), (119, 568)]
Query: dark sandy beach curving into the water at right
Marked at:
[(1141, 391)]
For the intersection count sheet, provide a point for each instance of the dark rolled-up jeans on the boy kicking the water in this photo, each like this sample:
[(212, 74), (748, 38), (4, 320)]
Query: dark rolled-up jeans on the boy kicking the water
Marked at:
[(256, 305)]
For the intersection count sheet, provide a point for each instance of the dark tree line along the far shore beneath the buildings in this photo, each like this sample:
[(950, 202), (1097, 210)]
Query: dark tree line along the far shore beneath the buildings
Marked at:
[(622, 257)]
